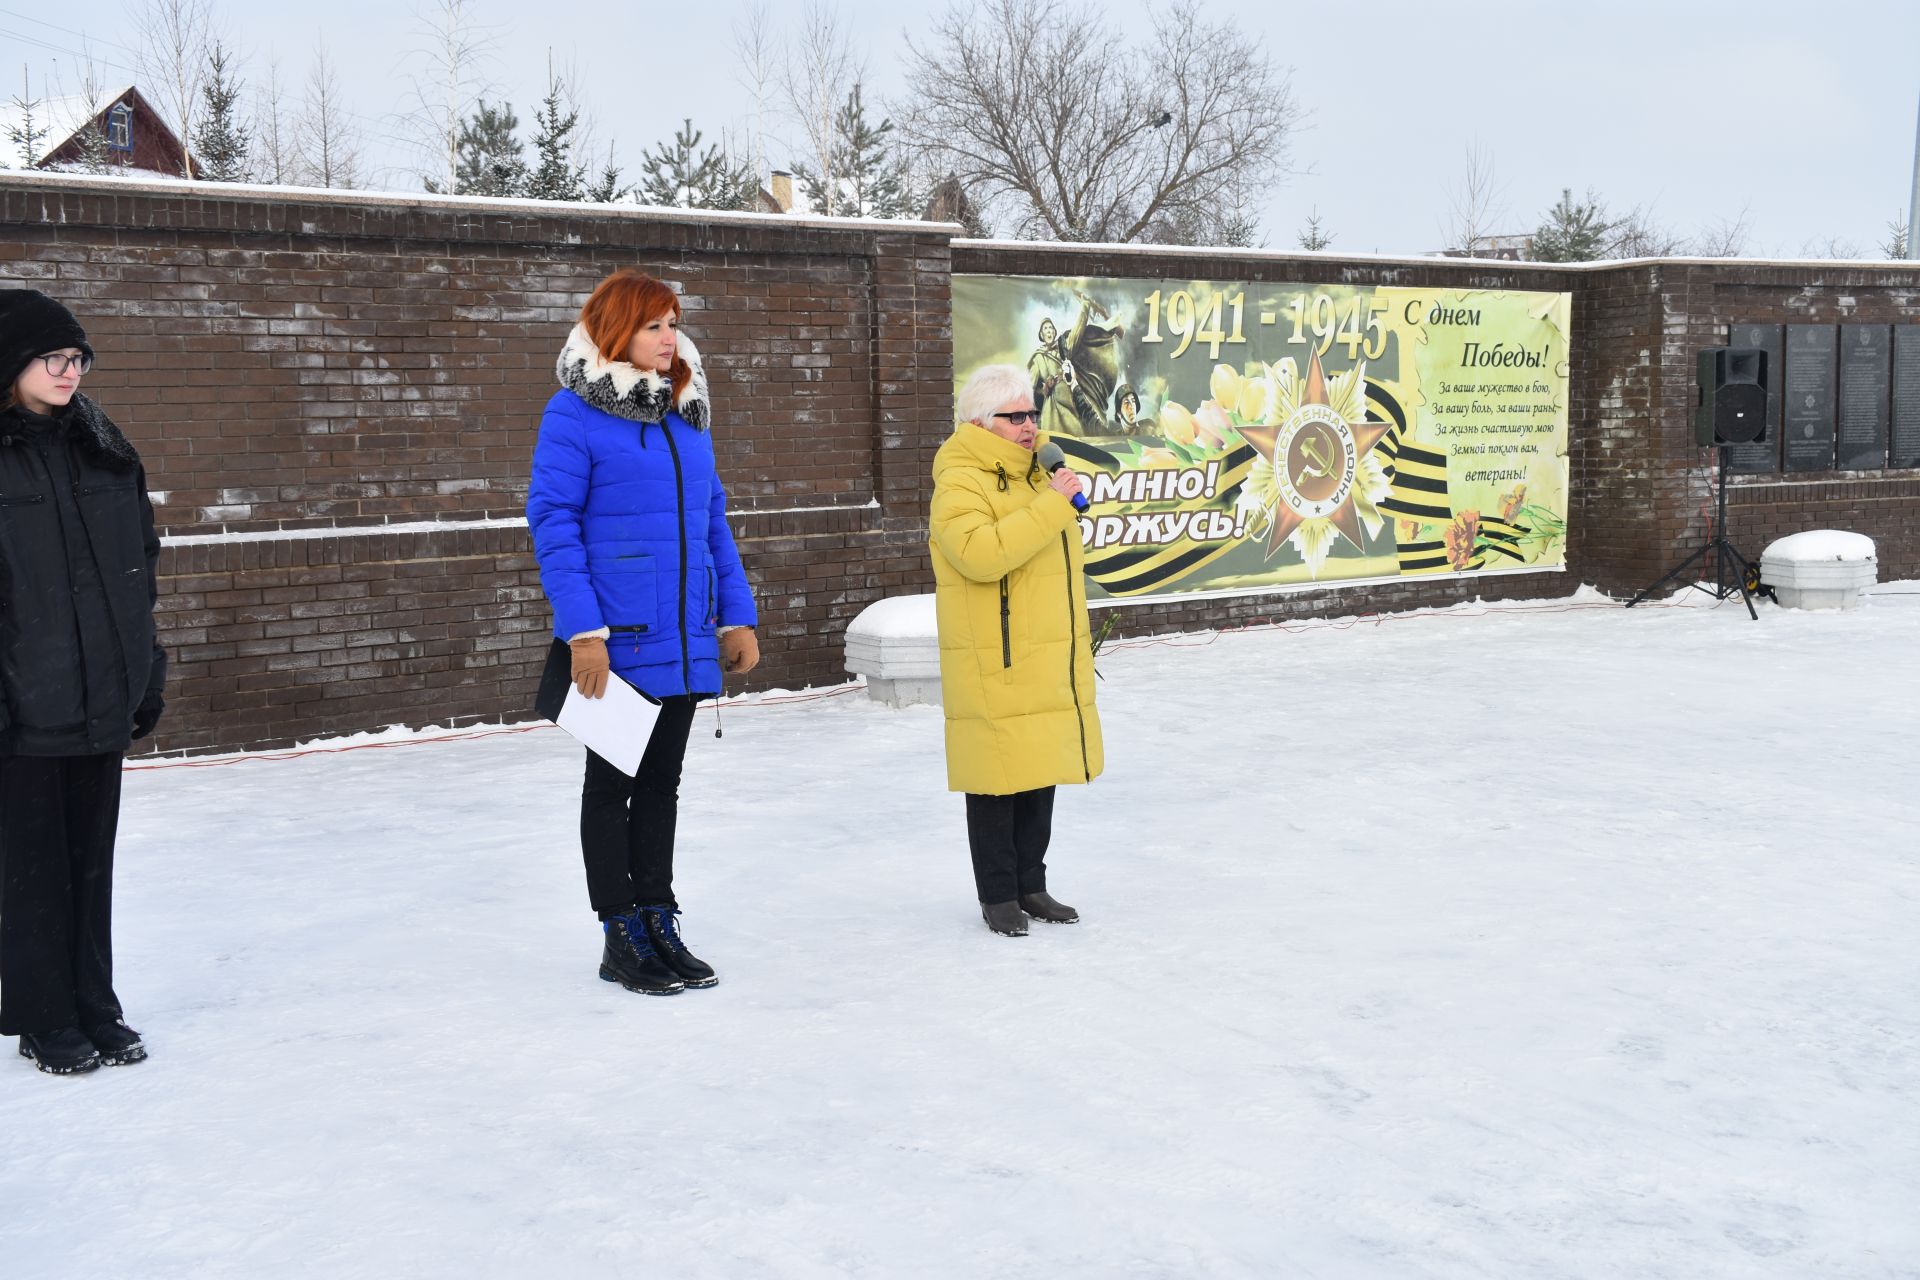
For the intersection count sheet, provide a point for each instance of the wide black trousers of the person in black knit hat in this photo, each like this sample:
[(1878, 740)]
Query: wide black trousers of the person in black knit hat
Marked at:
[(59, 817)]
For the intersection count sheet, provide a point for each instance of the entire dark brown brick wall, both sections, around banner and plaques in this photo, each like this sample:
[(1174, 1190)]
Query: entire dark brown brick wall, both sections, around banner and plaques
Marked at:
[(337, 398)]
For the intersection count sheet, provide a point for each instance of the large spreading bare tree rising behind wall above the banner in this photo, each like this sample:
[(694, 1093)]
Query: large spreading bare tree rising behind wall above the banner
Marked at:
[(1045, 114)]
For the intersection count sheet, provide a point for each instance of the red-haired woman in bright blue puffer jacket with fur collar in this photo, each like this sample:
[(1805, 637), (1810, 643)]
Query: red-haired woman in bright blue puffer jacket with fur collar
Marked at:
[(640, 567)]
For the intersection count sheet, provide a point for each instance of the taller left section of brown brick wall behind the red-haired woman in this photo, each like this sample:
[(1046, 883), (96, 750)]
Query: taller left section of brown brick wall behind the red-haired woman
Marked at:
[(337, 400)]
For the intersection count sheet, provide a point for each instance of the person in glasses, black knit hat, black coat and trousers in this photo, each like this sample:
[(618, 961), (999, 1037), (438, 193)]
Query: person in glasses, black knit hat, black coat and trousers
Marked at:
[(82, 678)]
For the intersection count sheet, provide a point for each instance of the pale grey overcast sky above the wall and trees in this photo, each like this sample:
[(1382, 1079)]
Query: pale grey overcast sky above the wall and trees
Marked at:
[(1798, 114)]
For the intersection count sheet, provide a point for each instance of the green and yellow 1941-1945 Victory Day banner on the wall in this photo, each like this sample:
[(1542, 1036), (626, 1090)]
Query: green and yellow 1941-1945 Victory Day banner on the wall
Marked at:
[(1243, 437)]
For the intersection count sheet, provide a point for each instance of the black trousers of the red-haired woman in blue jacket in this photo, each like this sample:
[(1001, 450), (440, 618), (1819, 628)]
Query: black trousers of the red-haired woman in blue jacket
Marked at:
[(627, 824)]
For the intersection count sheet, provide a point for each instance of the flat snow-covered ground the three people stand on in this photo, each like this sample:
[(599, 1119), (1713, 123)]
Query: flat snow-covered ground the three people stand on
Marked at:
[(1499, 943)]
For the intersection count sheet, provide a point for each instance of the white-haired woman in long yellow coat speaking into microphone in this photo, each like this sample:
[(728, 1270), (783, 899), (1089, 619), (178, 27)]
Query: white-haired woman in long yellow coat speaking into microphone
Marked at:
[(1017, 657)]
